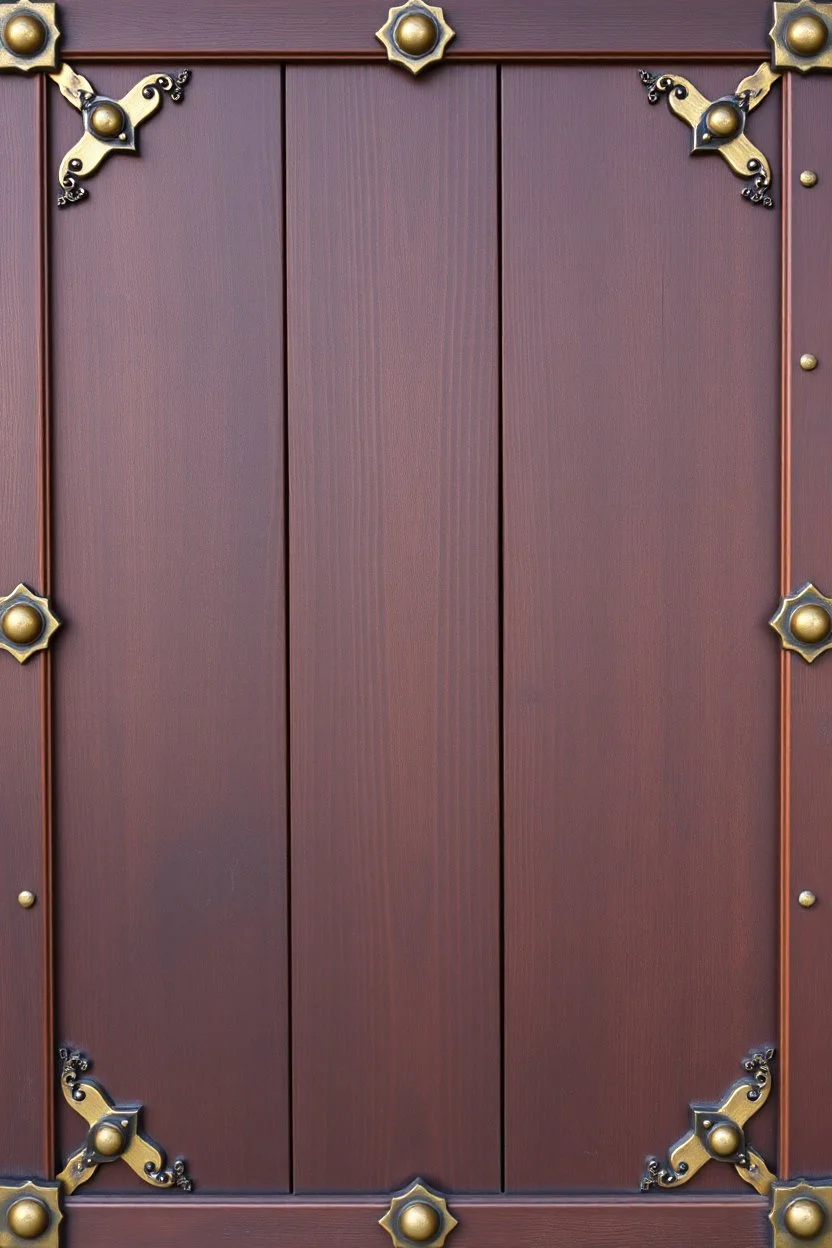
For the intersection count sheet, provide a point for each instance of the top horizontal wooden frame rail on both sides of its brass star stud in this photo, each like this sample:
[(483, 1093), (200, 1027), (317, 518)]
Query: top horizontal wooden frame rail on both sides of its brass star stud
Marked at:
[(485, 28)]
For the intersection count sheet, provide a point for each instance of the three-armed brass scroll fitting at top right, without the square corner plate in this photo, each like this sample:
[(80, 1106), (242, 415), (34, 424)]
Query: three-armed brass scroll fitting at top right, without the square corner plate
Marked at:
[(720, 125)]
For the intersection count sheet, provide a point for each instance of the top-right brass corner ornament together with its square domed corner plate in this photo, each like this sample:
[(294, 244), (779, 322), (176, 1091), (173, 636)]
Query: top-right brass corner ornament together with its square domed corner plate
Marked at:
[(801, 39)]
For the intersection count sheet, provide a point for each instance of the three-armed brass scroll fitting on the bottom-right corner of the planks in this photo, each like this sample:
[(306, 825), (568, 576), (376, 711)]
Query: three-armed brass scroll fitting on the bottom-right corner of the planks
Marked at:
[(718, 1134)]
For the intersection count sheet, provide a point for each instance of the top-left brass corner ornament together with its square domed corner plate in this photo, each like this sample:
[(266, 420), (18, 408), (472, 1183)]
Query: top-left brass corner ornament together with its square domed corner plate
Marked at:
[(29, 39)]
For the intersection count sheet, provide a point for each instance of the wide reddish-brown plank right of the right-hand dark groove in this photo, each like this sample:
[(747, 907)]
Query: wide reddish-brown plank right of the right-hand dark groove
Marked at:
[(642, 552)]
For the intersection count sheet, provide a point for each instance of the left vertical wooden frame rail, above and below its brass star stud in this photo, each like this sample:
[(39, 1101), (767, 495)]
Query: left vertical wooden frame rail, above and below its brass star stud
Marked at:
[(24, 1093)]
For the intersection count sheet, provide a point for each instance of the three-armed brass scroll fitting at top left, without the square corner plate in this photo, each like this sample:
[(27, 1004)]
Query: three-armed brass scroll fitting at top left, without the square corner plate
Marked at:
[(109, 125)]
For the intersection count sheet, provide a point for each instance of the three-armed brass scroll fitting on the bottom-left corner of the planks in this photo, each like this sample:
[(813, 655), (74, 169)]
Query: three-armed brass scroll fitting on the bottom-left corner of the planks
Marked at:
[(115, 1134)]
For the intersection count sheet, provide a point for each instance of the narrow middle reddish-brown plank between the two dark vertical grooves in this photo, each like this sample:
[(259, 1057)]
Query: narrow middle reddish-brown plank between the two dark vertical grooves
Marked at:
[(394, 539)]
